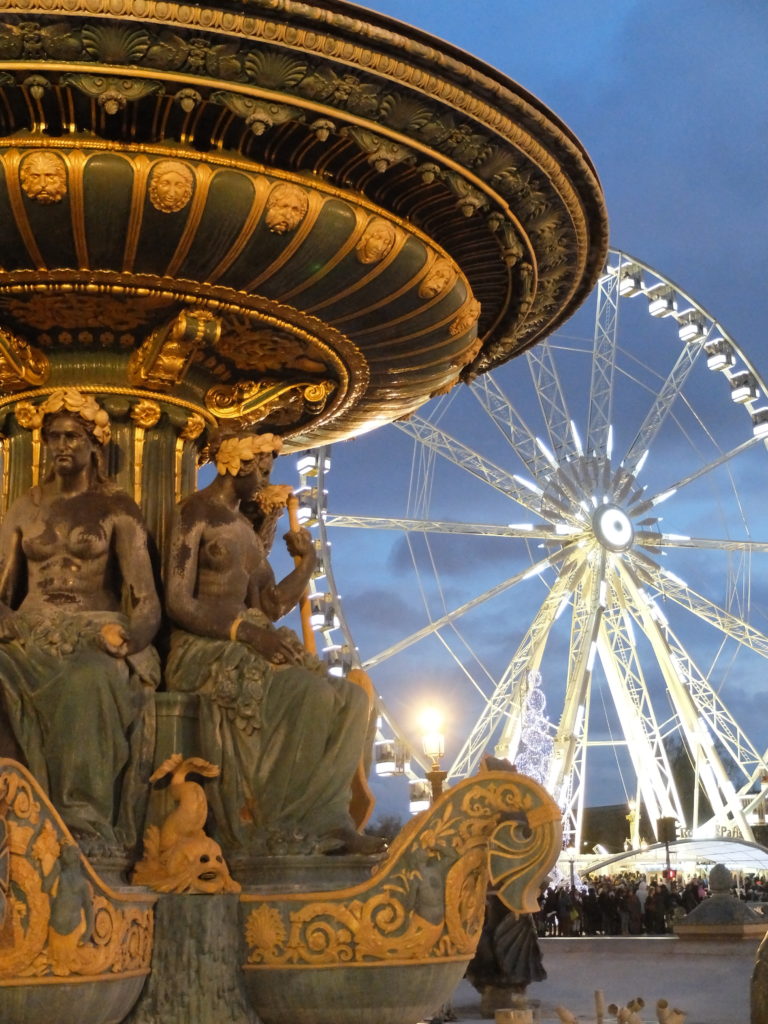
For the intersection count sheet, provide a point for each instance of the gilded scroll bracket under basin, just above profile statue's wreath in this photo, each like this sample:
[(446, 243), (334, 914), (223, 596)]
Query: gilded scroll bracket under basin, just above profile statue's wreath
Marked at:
[(251, 402)]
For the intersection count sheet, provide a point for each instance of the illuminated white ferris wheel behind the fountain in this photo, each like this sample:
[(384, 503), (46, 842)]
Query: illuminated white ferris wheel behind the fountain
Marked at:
[(583, 529)]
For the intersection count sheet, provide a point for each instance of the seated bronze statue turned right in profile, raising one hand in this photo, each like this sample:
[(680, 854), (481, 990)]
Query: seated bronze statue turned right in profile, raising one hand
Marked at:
[(287, 736)]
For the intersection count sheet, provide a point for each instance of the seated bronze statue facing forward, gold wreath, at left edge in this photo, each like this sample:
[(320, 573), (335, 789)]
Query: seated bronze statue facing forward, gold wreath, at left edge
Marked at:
[(79, 612)]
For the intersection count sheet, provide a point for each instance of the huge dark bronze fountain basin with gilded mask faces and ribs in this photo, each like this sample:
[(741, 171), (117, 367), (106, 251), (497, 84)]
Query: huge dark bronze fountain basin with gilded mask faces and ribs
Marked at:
[(365, 215)]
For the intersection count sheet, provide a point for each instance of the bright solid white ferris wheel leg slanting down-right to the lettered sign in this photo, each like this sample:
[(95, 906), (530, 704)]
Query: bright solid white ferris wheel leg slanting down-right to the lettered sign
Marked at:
[(682, 679)]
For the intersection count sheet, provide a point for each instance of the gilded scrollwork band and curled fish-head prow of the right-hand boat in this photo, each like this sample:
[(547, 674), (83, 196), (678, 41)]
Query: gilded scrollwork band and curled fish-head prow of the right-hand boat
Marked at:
[(426, 903)]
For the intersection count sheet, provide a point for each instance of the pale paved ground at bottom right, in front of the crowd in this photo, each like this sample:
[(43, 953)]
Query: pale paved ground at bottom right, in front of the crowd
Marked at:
[(709, 980)]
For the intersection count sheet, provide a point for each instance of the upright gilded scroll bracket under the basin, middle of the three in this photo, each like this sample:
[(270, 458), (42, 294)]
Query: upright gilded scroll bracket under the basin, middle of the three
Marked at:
[(164, 359)]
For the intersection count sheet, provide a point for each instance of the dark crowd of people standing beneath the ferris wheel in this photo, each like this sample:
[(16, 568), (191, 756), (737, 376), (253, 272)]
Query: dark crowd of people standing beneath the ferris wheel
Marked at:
[(626, 905)]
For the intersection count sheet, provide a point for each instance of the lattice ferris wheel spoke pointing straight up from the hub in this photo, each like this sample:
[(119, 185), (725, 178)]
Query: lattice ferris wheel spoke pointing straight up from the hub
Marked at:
[(604, 365)]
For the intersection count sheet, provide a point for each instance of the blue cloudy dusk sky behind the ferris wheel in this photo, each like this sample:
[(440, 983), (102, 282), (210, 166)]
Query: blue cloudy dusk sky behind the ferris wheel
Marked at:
[(671, 102)]
